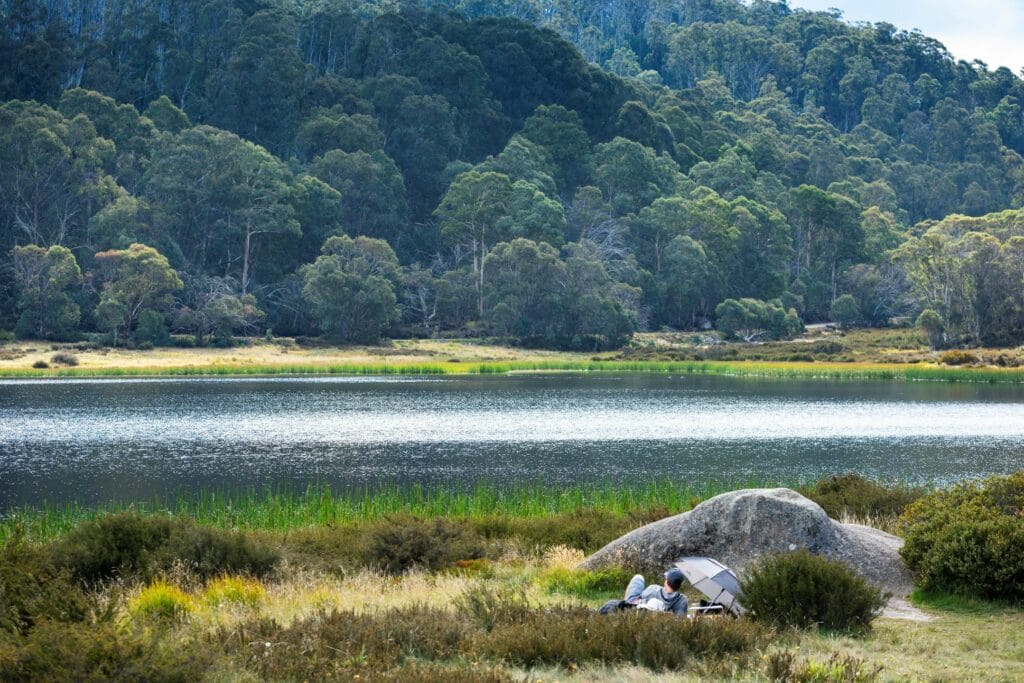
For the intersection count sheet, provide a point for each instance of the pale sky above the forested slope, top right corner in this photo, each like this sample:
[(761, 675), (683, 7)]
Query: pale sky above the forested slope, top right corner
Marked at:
[(989, 30)]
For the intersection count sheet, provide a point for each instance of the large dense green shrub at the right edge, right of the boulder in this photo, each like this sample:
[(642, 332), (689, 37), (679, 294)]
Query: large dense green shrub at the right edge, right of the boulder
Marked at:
[(969, 540)]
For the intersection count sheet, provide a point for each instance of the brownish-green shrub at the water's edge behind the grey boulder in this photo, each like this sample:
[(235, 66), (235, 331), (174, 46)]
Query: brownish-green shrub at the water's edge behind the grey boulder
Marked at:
[(857, 496)]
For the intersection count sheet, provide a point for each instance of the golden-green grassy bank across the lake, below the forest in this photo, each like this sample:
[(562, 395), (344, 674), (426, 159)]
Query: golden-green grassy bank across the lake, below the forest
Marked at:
[(865, 356)]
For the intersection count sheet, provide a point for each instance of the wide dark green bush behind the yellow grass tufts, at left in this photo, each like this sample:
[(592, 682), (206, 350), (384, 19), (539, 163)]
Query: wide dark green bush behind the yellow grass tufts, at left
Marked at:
[(144, 546)]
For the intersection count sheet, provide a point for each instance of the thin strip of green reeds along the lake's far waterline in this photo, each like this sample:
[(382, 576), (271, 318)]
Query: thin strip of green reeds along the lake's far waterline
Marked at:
[(828, 371)]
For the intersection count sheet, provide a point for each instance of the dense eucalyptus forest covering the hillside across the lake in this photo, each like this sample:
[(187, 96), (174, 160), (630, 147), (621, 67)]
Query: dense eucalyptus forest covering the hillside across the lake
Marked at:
[(556, 173)]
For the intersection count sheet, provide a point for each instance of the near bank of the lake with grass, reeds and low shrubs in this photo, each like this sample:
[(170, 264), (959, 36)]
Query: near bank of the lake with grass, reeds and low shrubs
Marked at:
[(320, 587)]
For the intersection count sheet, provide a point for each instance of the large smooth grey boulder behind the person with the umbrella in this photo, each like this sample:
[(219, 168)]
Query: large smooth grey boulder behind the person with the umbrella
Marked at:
[(741, 527)]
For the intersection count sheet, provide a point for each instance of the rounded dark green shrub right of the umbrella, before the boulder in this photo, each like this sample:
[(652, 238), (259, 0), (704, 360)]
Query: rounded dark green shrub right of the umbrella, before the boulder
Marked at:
[(803, 590)]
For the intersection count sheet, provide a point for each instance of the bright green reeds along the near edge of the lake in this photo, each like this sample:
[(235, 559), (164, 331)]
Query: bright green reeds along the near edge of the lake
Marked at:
[(319, 506)]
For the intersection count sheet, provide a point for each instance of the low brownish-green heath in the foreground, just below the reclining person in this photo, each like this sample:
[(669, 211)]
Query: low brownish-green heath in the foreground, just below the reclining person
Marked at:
[(376, 646)]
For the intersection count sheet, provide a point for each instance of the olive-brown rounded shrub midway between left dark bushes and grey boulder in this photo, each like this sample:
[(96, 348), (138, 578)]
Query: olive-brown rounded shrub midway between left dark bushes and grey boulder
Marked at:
[(397, 545)]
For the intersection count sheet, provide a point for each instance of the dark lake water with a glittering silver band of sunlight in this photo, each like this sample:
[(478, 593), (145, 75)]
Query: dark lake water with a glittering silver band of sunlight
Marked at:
[(129, 440)]
